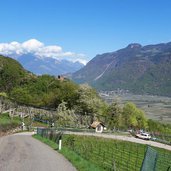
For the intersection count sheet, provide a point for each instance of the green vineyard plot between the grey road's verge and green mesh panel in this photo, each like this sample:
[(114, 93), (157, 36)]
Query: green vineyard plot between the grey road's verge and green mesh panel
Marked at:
[(109, 154)]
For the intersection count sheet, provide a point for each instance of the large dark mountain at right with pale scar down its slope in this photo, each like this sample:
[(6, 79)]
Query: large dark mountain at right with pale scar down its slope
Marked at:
[(139, 69)]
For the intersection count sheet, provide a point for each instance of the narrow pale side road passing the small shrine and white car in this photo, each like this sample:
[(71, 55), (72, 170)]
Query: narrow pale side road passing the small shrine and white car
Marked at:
[(124, 138)]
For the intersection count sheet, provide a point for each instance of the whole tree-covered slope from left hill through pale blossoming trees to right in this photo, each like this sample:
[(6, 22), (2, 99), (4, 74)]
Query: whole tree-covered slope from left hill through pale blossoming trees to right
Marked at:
[(74, 105)]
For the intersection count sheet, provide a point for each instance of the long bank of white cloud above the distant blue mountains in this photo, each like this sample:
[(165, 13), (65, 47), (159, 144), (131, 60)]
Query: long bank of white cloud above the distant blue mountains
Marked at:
[(37, 48)]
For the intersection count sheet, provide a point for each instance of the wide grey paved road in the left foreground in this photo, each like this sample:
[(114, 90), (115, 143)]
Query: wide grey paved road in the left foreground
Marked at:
[(21, 152)]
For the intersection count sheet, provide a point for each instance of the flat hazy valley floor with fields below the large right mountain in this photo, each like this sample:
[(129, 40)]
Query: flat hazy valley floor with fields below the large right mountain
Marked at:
[(156, 107)]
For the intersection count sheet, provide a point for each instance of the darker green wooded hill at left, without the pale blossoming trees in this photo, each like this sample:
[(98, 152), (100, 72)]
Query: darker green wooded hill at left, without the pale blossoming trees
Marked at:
[(27, 88)]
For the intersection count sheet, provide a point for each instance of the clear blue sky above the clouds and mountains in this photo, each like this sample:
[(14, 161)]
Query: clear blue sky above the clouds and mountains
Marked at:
[(87, 27)]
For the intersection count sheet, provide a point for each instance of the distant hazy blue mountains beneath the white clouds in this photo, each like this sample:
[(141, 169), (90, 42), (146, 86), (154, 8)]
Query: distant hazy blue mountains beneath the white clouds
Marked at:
[(48, 65)]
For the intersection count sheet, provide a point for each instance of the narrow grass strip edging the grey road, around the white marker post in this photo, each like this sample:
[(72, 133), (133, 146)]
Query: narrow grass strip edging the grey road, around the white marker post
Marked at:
[(80, 163)]
